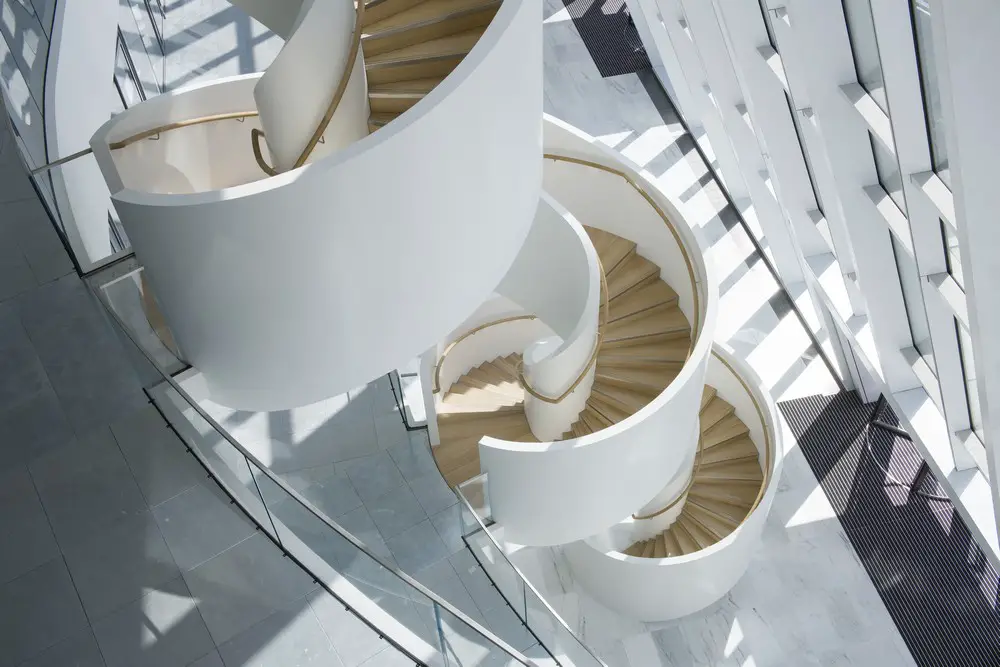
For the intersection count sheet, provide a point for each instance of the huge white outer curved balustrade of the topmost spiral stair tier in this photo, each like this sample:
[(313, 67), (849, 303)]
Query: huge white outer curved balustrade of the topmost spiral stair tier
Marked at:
[(289, 289)]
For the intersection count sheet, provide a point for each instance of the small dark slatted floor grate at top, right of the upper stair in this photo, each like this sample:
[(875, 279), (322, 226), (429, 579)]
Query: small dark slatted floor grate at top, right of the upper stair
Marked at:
[(610, 36)]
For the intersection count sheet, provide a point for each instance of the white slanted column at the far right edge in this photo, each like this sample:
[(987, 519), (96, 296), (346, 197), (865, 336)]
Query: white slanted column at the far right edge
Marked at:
[(972, 28)]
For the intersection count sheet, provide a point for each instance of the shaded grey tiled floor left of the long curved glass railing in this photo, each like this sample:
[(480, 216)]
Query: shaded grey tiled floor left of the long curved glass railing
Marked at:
[(115, 550)]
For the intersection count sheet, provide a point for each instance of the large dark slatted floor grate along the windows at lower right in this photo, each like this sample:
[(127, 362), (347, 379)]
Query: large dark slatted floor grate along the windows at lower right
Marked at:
[(935, 581)]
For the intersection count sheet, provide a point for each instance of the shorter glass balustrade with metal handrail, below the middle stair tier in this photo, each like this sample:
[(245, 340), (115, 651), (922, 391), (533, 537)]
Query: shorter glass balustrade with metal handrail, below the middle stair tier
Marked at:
[(533, 609)]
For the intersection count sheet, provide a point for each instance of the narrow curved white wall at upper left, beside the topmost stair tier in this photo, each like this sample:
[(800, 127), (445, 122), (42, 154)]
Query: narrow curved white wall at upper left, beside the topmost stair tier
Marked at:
[(81, 61)]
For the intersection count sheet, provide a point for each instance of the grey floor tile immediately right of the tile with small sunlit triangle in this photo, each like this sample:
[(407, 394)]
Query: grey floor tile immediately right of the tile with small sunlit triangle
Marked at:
[(245, 585)]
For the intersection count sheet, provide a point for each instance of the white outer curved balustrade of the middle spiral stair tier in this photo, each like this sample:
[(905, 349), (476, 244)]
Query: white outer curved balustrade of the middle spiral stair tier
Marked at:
[(557, 492)]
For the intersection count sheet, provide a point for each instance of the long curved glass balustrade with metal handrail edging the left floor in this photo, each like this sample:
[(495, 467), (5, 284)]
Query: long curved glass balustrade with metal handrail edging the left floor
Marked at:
[(388, 600)]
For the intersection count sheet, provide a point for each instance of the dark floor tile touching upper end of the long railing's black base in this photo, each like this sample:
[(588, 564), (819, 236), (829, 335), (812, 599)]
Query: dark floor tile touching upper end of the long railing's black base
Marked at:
[(160, 463)]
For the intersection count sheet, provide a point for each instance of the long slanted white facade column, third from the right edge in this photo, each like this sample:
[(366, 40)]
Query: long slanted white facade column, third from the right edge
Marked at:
[(827, 47)]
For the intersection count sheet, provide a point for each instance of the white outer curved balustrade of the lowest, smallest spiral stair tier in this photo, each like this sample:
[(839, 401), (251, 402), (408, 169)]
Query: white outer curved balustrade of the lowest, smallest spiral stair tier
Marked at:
[(659, 589)]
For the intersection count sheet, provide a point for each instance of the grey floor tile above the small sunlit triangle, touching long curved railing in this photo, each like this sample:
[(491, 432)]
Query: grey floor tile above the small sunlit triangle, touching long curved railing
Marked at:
[(199, 524)]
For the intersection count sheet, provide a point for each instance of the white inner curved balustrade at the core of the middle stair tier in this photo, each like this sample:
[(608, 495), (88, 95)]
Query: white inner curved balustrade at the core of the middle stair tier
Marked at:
[(557, 276)]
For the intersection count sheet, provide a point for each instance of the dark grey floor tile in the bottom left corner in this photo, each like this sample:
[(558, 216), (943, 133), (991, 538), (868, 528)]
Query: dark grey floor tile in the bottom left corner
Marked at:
[(37, 610)]
